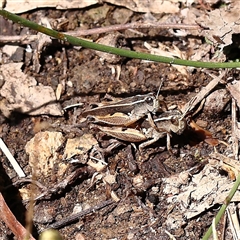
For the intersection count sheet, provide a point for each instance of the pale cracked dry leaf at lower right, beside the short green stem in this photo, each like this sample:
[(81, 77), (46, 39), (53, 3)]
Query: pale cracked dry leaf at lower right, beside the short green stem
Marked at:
[(206, 189)]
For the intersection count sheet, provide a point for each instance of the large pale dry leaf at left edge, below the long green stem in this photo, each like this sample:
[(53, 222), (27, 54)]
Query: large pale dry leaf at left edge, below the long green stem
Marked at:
[(21, 94)]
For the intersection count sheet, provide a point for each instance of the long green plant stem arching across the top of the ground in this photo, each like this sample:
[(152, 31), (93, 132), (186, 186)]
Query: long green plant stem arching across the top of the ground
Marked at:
[(122, 52)]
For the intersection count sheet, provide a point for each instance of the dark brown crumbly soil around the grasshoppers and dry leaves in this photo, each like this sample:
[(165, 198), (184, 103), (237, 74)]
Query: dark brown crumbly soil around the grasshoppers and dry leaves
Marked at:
[(142, 210)]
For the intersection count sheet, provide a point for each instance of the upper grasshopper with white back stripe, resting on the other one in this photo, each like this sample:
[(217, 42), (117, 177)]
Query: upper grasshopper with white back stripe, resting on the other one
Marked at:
[(127, 111)]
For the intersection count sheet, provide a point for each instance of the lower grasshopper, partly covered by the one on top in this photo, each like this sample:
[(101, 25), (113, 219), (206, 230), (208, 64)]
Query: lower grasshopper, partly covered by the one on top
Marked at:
[(164, 124)]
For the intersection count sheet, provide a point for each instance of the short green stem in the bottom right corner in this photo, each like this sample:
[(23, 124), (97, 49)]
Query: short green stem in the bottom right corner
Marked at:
[(223, 208)]
